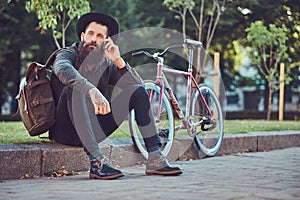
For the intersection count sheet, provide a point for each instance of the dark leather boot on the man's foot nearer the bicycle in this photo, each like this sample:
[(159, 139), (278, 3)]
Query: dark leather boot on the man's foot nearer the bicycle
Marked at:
[(158, 165)]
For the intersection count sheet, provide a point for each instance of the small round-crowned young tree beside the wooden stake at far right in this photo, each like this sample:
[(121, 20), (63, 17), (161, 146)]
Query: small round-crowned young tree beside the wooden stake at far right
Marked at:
[(269, 49)]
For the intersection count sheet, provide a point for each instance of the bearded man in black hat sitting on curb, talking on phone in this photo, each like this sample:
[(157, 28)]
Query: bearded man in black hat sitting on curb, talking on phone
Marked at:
[(86, 113)]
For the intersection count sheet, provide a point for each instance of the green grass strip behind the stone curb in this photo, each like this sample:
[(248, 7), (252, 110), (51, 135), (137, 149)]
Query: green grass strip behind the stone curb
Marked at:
[(14, 132)]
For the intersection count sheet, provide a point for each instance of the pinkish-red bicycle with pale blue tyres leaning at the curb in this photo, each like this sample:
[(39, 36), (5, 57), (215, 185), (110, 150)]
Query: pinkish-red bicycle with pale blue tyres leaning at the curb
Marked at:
[(203, 117)]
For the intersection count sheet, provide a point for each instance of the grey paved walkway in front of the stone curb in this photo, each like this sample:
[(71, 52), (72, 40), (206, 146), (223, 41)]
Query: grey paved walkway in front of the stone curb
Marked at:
[(244, 176)]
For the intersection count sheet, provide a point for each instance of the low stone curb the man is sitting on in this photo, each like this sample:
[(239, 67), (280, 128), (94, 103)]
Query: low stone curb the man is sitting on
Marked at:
[(16, 160)]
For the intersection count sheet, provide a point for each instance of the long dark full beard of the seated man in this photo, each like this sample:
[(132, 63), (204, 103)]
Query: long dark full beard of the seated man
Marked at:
[(90, 55)]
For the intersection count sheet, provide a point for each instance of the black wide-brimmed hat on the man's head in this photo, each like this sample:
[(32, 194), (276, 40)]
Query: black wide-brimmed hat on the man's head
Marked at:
[(104, 19)]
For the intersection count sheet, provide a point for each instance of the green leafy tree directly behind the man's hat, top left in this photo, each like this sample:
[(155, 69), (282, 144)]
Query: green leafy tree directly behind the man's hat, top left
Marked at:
[(55, 13)]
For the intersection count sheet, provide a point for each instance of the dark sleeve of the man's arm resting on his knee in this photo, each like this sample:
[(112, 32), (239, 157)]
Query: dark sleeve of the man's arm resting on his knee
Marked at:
[(64, 69)]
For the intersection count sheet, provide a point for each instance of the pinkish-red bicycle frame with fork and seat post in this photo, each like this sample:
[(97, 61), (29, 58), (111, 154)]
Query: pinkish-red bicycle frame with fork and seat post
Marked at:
[(191, 84)]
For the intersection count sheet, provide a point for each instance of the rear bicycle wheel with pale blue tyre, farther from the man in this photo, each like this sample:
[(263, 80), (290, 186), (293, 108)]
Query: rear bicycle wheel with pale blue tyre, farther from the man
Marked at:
[(208, 134)]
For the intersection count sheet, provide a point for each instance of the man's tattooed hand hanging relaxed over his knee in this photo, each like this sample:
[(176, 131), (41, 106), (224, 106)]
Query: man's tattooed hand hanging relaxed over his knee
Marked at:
[(101, 105)]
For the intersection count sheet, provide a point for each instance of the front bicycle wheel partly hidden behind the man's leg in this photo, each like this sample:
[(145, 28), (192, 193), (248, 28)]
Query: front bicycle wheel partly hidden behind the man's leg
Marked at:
[(163, 118)]
